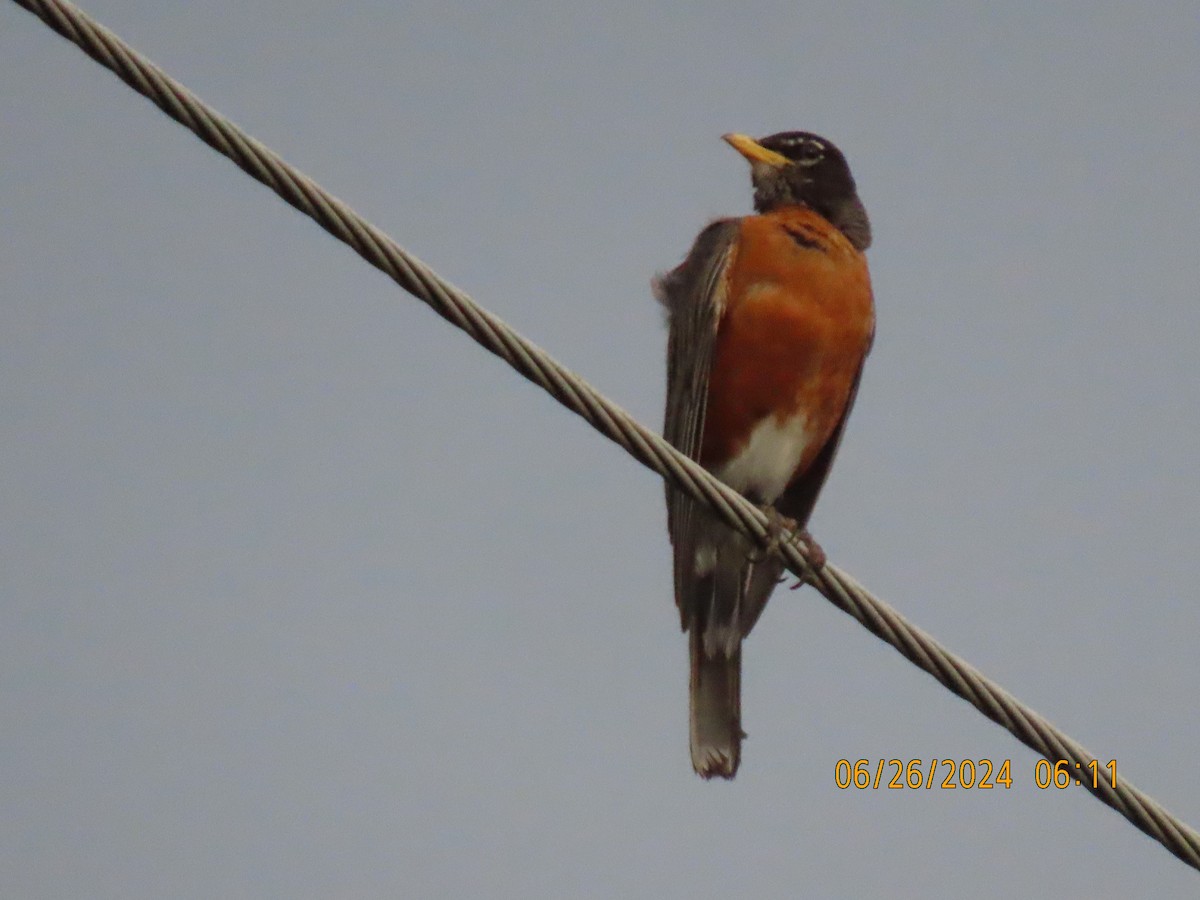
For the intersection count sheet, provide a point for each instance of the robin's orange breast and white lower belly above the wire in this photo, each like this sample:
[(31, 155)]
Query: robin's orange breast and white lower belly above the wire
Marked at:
[(797, 323)]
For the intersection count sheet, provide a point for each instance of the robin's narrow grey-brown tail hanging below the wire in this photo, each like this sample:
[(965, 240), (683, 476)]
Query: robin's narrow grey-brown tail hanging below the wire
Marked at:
[(716, 707)]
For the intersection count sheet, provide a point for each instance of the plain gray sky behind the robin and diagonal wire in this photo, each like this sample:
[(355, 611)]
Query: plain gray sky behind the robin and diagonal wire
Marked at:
[(303, 595)]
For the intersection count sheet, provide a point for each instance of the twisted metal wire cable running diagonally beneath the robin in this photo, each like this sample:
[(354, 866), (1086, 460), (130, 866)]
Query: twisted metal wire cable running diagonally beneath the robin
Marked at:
[(837, 586)]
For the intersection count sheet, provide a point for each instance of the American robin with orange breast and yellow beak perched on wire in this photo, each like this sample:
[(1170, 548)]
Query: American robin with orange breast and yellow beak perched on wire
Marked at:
[(771, 319)]
